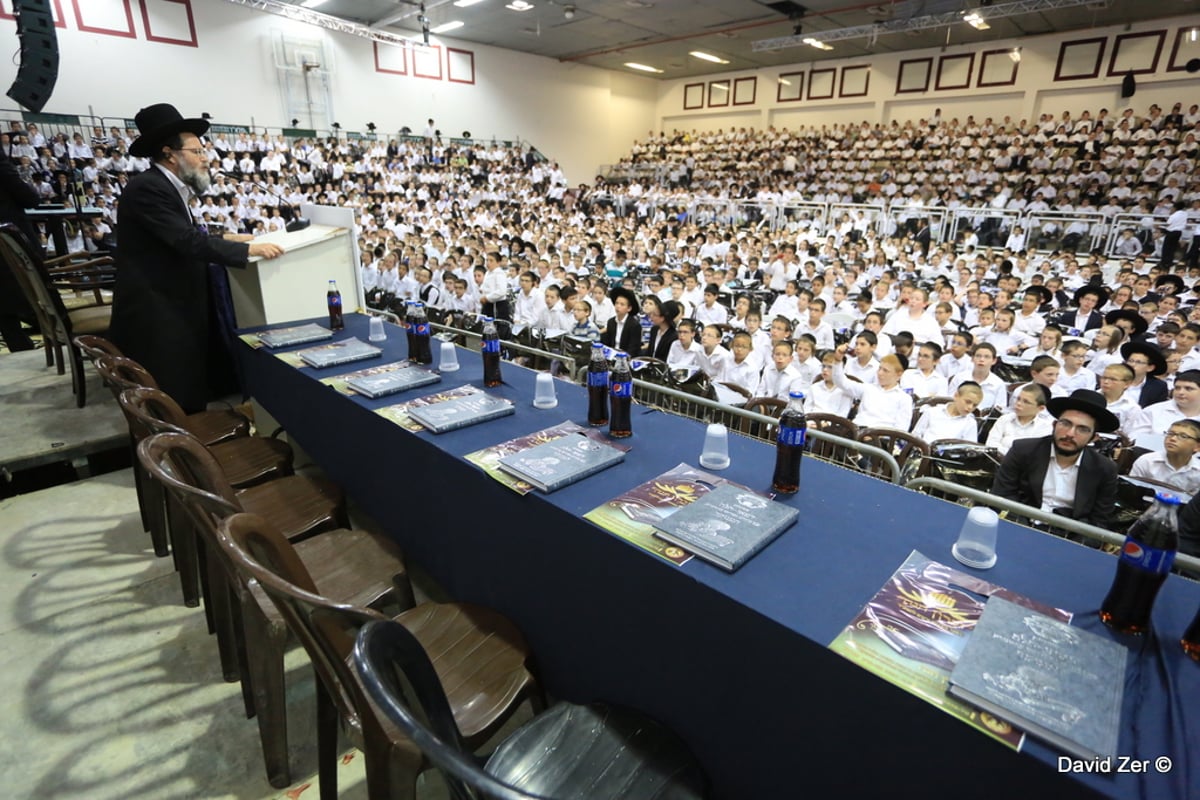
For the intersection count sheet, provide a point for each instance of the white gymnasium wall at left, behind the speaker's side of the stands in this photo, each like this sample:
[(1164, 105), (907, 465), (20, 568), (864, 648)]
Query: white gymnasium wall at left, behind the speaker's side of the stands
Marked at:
[(581, 116)]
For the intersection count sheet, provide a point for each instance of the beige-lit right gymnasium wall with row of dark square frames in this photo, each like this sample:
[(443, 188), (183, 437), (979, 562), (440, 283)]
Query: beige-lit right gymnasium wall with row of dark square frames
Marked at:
[(1036, 89)]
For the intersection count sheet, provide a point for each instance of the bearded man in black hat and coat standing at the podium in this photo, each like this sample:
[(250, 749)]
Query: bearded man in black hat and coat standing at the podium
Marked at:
[(164, 316)]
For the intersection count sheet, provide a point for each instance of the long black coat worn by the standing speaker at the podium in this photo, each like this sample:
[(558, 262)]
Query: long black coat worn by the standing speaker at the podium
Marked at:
[(161, 304)]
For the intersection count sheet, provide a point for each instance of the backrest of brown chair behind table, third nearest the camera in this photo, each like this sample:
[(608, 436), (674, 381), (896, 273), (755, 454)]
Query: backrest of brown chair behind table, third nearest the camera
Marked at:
[(187, 468)]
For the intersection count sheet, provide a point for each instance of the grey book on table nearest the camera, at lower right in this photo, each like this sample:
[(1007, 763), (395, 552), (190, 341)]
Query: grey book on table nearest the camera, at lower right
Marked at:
[(1060, 684)]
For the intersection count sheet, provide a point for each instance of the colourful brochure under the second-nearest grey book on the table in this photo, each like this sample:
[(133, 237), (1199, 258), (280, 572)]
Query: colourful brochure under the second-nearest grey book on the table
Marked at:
[(634, 515)]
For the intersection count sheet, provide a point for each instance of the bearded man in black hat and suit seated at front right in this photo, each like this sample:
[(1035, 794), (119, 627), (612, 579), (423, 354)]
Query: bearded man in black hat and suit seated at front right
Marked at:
[(1060, 473)]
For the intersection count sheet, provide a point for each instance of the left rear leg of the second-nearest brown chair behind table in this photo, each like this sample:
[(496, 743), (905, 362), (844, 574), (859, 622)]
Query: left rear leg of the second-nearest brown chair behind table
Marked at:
[(265, 649)]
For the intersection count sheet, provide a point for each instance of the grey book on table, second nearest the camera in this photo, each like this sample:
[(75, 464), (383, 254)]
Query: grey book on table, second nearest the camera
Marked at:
[(728, 526)]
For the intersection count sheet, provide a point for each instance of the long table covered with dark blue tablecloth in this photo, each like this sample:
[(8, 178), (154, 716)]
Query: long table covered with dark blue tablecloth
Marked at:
[(737, 664)]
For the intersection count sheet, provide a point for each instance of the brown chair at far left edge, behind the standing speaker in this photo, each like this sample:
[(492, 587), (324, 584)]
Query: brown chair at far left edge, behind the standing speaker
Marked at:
[(59, 327)]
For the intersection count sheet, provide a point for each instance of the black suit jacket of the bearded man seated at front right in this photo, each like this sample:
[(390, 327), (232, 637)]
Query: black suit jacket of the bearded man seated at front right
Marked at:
[(1025, 467)]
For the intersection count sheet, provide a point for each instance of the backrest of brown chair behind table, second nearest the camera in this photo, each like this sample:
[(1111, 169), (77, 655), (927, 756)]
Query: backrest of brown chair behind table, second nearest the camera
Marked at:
[(326, 629)]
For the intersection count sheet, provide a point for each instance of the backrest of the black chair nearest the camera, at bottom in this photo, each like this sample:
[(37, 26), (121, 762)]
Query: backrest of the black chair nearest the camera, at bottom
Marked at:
[(399, 677)]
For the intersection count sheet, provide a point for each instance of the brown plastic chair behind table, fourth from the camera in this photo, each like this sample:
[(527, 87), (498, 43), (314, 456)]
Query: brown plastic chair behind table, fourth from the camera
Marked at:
[(245, 462)]
